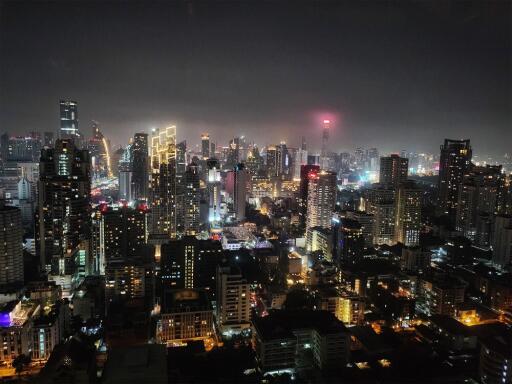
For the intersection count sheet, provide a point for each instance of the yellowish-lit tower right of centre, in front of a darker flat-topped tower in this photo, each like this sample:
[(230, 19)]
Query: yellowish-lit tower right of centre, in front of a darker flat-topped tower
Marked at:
[(408, 214)]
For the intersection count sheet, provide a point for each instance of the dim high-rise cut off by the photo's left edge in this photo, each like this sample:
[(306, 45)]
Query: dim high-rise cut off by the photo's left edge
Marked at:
[(11, 250)]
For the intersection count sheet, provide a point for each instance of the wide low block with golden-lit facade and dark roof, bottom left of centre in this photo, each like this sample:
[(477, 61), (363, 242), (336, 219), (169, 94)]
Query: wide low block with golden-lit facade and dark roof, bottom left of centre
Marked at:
[(186, 315)]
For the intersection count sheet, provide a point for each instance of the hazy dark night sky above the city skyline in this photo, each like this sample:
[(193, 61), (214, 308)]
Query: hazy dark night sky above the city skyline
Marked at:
[(397, 75)]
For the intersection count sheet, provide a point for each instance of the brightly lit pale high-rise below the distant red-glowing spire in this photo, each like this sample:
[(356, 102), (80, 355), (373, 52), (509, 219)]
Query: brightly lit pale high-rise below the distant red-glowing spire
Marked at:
[(321, 198)]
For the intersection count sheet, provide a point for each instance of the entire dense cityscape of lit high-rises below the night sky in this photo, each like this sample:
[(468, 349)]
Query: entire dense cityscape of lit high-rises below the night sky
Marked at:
[(320, 264)]
